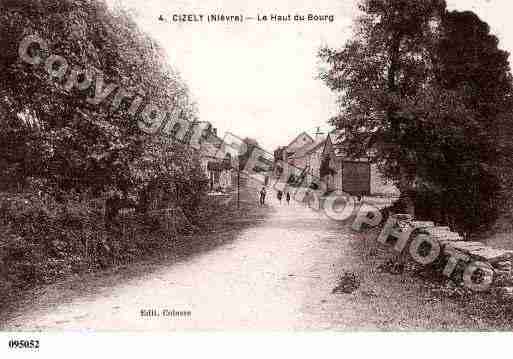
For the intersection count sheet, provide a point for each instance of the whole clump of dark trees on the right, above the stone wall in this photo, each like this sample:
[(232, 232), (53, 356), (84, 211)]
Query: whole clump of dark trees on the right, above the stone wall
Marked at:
[(404, 98)]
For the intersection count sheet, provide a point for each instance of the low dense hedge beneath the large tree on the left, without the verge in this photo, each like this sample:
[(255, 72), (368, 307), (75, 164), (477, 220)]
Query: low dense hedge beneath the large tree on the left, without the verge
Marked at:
[(43, 240)]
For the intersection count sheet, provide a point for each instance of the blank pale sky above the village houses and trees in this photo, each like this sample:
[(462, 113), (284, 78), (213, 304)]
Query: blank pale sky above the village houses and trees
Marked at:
[(259, 79)]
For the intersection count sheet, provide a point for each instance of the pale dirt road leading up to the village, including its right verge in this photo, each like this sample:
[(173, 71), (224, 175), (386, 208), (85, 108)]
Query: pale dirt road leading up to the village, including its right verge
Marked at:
[(278, 273)]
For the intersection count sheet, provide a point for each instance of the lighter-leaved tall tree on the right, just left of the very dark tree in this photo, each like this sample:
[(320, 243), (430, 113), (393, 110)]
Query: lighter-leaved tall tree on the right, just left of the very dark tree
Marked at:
[(378, 75)]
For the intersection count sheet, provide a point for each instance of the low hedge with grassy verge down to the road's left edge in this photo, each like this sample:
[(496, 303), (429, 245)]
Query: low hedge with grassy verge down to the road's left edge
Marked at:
[(41, 247)]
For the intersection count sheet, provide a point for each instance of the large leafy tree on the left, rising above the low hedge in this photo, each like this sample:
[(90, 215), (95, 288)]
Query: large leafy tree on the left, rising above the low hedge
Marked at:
[(54, 133)]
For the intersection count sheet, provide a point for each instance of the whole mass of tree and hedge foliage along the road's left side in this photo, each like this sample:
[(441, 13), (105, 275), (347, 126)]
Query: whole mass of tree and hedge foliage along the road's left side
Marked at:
[(64, 159)]
